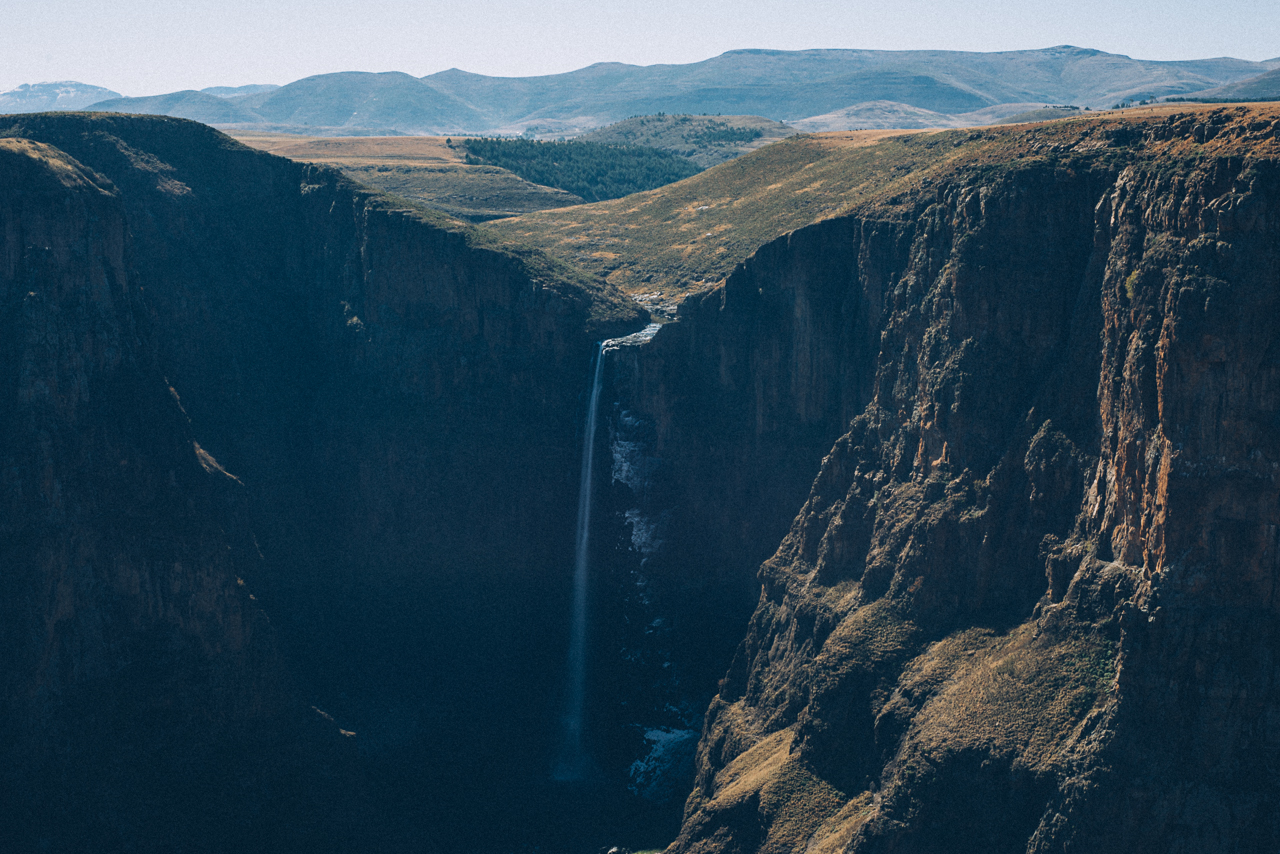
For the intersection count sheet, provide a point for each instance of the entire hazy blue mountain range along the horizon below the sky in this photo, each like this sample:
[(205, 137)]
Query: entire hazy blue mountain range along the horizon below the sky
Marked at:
[(806, 89)]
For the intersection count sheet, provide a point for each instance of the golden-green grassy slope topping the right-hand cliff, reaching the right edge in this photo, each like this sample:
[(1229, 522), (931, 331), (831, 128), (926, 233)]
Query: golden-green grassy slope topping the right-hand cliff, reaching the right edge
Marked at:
[(689, 236)]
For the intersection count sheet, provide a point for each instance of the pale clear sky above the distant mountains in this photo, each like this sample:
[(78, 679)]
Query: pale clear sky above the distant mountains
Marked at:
[(147, 48)]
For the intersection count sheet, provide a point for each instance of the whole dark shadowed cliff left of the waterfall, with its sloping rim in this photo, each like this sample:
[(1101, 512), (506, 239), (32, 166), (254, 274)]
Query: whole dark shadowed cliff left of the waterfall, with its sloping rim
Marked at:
[(230, 375)]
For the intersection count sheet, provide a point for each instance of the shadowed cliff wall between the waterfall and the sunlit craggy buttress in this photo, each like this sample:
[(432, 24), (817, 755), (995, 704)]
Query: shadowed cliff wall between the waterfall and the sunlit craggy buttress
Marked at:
[(716, 426)]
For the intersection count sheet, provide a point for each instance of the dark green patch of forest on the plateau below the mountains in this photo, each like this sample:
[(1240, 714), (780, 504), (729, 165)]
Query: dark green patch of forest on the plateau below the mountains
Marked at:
[(589, 170)]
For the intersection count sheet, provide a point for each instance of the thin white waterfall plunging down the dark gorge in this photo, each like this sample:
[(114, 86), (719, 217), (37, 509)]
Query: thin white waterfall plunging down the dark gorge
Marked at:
[(573, 762)]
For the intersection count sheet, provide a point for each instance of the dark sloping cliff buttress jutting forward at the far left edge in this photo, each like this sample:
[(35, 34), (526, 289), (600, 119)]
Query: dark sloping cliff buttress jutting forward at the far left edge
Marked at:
[(139, 673)]
